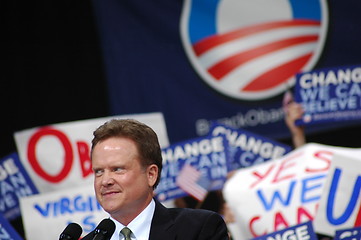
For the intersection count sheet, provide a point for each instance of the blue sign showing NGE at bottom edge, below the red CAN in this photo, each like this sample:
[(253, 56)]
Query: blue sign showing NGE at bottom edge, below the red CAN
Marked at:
[(303, 231)]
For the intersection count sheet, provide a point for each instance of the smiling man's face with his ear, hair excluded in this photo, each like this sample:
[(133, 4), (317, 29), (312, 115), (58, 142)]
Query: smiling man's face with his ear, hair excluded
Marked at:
[(122, 186)]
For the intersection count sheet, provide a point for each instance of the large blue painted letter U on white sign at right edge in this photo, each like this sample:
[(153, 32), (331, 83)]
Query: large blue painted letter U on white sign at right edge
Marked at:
[(331, 199)]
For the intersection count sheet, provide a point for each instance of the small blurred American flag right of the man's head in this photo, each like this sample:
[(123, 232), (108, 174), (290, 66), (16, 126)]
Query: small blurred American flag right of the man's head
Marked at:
[(192, 182)]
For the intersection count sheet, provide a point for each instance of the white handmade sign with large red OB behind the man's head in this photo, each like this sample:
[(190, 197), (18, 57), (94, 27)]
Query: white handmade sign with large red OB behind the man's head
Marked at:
[(57, 156)]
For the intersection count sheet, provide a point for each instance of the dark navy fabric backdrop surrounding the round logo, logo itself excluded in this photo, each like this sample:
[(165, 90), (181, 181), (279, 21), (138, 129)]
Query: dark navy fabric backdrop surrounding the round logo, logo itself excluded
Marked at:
[(148, 69)]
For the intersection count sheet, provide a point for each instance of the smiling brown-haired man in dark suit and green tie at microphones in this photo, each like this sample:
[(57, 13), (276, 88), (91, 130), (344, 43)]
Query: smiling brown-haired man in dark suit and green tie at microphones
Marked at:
[(127, 163)]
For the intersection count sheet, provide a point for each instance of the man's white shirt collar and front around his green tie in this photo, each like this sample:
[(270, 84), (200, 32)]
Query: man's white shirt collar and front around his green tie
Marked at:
[(140, 226)]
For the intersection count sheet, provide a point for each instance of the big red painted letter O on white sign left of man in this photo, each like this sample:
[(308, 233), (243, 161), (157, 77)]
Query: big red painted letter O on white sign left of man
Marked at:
[(68, 156)]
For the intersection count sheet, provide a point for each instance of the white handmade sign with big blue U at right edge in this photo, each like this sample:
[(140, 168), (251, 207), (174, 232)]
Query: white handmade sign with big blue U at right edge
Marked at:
[(341, 199)]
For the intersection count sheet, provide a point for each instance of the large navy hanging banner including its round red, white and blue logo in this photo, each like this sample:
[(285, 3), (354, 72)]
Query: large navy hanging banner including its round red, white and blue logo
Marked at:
[(198, 61)]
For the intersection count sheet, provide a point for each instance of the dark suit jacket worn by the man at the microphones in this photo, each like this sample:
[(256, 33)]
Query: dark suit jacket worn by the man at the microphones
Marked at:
[(184, 224)]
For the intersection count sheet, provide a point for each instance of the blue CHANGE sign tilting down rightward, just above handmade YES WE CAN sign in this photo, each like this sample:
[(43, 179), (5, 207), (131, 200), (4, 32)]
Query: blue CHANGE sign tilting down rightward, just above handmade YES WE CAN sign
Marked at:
[(246, 148)]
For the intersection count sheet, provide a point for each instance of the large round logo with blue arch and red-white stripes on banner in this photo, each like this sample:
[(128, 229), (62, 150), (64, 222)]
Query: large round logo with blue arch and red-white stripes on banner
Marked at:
[(252, 49)]
